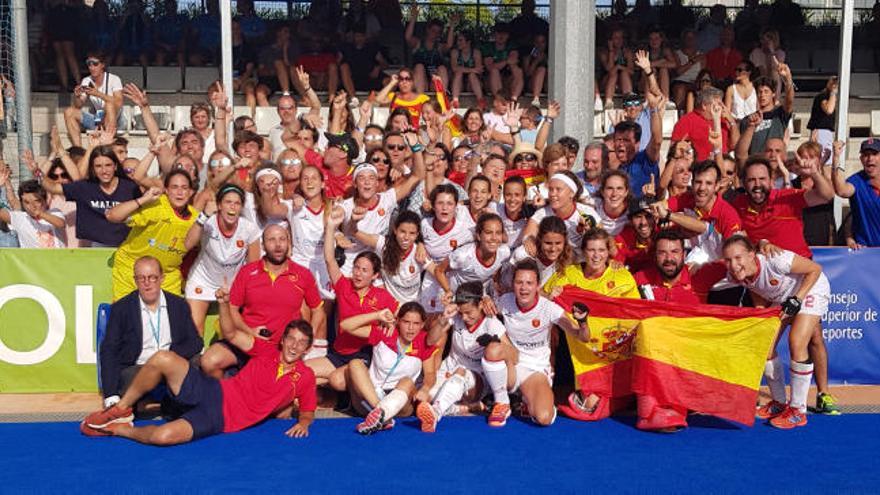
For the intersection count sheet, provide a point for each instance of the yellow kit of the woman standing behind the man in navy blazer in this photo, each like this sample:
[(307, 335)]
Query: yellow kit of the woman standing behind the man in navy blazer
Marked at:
[(156, 230)]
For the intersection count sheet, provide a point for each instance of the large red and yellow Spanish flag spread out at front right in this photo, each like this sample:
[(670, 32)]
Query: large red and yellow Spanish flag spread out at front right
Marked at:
[(704, 358)]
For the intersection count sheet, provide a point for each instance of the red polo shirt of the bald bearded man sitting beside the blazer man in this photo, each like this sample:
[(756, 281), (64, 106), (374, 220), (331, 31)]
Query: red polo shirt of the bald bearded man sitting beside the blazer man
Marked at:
[(273, 303)]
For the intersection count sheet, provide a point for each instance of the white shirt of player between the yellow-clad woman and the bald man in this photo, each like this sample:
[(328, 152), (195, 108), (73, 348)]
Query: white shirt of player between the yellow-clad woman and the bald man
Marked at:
[(220, 257)]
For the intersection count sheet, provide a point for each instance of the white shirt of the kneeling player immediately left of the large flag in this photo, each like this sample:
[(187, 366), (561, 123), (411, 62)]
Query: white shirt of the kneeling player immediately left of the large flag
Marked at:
[(529, 329)]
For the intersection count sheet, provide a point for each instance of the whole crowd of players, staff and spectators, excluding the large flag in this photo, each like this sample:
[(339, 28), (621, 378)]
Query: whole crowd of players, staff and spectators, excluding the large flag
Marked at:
[(340, 251)]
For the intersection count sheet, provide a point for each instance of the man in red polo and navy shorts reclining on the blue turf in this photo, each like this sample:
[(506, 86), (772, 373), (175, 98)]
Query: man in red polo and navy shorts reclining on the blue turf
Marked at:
[(272, 379)]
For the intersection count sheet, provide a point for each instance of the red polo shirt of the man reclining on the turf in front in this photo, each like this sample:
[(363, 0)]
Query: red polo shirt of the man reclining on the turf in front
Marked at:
[(262, 387)]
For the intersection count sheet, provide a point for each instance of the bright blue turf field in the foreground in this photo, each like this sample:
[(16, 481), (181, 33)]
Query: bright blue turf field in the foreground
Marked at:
[(836, 454)]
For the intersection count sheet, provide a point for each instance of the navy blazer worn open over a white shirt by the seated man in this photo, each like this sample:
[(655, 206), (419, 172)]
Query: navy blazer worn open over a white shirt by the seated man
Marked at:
[(124, 339)]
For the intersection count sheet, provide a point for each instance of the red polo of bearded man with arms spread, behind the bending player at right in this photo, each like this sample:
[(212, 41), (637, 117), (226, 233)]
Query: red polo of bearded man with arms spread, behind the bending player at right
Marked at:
[(780, 219)]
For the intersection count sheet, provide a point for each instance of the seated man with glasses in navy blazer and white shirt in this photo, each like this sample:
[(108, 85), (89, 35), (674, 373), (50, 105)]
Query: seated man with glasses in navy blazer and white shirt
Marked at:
[(141, 323)]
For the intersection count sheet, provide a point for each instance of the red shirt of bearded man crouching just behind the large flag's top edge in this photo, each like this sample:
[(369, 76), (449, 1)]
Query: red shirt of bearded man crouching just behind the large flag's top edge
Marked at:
[(687, 289)]
